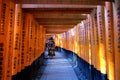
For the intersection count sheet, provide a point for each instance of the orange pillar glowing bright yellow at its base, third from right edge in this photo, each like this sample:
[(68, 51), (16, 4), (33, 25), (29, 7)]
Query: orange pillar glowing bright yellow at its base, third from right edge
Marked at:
[(101, 34)]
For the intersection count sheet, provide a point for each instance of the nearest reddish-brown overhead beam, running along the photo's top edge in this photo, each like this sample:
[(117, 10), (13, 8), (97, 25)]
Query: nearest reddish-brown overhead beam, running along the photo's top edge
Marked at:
[(80, 2)]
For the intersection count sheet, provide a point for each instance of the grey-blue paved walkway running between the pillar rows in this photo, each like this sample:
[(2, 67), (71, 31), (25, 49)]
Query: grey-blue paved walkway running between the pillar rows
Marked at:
[(58, 68)]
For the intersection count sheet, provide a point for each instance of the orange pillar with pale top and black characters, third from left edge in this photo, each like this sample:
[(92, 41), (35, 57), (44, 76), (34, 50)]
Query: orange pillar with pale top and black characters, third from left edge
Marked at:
[(16, 44)]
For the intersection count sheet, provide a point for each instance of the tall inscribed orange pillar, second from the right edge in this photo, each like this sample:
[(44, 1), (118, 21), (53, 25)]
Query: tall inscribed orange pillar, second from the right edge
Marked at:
[(109, 39)]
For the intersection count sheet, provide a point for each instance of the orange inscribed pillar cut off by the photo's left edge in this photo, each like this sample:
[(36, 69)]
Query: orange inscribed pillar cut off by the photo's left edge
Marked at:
[(4, 21)]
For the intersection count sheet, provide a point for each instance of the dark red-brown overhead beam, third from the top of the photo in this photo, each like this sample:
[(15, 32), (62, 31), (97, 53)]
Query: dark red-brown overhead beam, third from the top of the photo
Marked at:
[(58, 10)]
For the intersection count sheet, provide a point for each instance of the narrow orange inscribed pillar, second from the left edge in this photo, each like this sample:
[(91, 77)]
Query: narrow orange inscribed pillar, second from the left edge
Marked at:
[(8, 71)]
